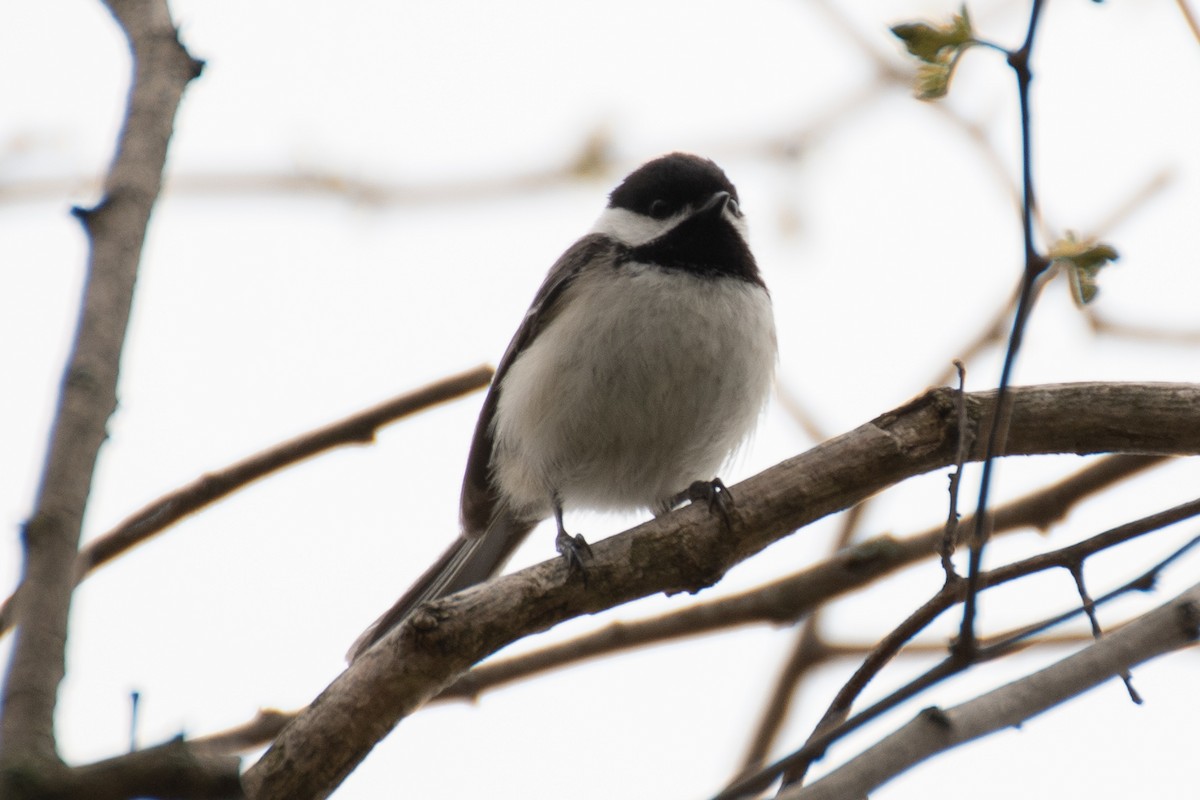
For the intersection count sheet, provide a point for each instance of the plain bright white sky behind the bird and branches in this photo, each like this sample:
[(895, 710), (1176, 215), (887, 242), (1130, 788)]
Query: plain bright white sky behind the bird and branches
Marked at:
[(887, 244)]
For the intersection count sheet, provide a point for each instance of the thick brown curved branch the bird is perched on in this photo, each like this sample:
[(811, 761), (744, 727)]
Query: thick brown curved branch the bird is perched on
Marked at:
[(691, 550)]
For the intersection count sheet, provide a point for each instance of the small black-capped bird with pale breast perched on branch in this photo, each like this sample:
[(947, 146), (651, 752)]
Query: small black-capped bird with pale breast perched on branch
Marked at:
[(644, 363)]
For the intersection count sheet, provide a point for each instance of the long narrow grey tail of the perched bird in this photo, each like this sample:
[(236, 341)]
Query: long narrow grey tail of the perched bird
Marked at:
[(469, 562)]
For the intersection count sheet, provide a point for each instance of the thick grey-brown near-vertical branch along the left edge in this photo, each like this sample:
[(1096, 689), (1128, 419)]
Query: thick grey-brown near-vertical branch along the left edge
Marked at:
[(88, 396)]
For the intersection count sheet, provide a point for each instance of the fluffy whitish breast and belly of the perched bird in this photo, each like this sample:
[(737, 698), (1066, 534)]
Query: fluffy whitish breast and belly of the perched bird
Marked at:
[(645, 382)]
